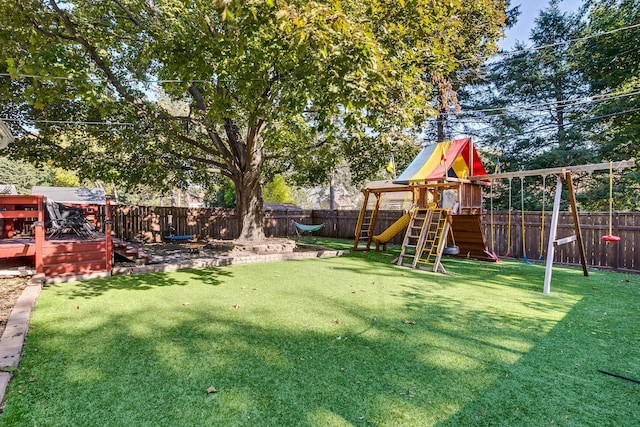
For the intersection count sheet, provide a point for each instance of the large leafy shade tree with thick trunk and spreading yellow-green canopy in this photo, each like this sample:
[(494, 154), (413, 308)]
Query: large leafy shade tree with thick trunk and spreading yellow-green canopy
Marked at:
[(233, 87)]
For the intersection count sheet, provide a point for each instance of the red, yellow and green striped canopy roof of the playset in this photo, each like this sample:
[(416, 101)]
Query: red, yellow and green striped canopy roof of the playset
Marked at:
[(449, 159)]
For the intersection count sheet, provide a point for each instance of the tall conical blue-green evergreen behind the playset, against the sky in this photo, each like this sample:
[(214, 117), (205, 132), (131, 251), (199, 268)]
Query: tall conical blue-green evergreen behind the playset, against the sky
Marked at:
[(531, 106)]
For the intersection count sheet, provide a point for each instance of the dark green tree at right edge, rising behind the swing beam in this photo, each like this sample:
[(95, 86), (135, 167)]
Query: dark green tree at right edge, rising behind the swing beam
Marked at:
[(610, 61)]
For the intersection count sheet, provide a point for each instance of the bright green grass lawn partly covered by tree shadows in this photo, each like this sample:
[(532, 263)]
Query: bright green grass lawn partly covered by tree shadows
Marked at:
[(333, 342)]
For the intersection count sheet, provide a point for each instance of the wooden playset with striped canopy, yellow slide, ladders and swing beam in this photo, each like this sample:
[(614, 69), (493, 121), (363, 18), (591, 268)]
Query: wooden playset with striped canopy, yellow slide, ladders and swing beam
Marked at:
[(444, 184)]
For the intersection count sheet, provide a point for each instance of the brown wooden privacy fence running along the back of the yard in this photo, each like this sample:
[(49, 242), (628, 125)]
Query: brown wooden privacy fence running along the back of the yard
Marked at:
[(150, 224)]
